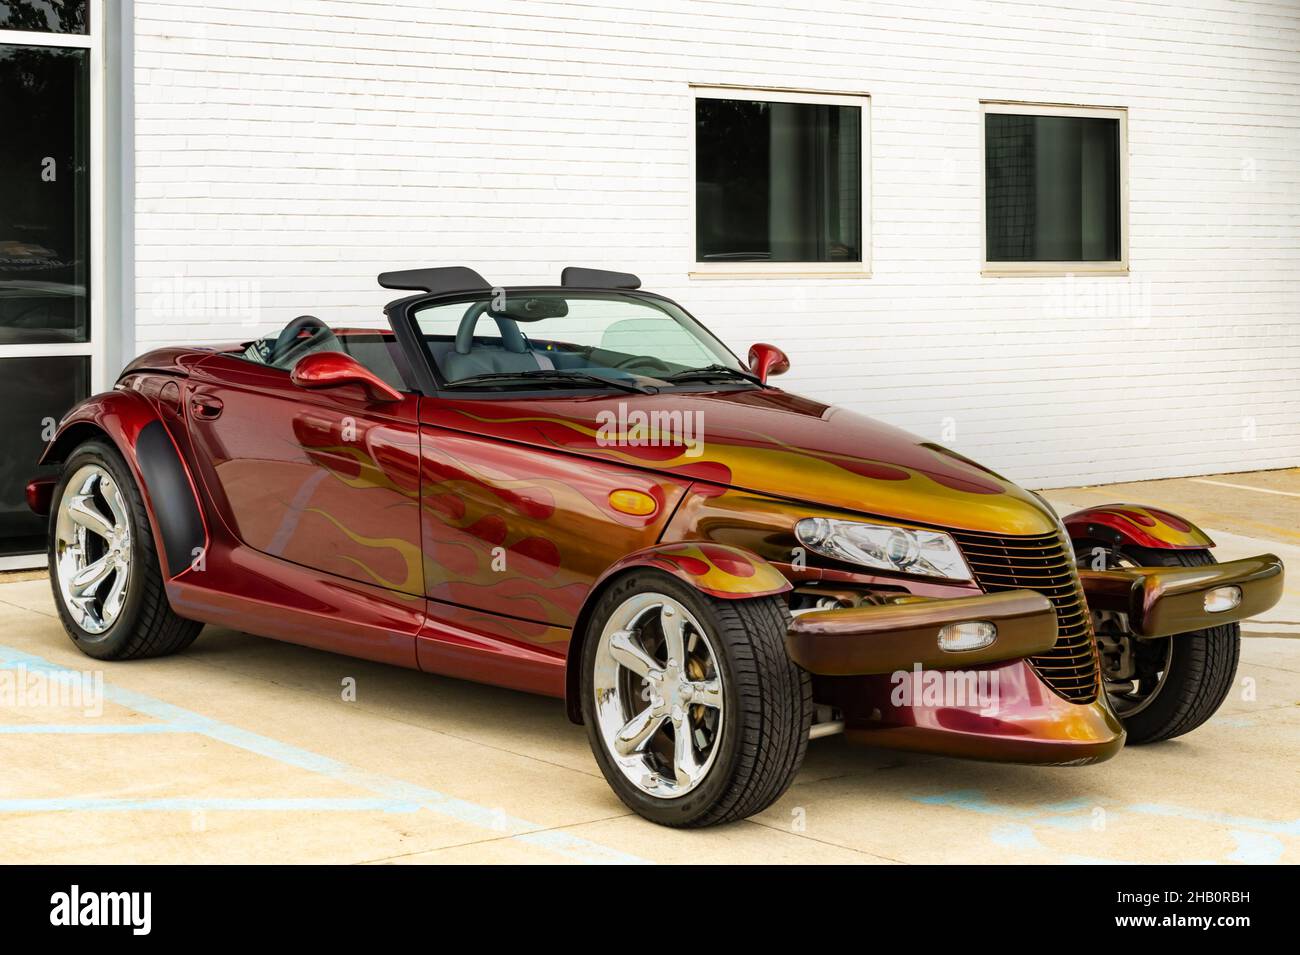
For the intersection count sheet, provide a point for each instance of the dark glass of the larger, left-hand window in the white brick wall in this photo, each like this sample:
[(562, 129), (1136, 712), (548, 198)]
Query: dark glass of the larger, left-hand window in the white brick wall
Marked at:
[(778, 183)]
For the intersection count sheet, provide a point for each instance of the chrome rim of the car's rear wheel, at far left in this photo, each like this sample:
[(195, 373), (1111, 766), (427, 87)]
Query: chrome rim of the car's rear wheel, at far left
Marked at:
[(93, 549)]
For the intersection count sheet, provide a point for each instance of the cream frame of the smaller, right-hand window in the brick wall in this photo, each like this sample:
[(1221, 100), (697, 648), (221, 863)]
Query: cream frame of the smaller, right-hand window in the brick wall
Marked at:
[(1002, 270)]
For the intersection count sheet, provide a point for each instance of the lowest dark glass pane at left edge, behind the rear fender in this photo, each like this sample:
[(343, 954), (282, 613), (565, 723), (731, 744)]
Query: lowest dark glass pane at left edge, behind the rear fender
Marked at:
[(34, 396)]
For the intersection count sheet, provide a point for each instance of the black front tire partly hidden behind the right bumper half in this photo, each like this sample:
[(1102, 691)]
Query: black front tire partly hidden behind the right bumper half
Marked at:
[(1177, 683)]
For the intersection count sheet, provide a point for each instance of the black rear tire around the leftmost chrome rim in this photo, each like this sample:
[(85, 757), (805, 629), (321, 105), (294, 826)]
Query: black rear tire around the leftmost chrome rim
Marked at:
[(148, 626)]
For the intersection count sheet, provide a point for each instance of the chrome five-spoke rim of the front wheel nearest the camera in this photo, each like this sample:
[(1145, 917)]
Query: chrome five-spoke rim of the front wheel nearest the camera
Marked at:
[(658, 696)]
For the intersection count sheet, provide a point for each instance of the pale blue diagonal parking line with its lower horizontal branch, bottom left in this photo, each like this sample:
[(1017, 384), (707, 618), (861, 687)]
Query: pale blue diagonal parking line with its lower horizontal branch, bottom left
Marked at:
[(395, 796)]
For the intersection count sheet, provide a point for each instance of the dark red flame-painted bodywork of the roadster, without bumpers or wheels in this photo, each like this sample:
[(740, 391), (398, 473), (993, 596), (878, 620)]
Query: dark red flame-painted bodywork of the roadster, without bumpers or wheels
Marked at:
[(465, 537)]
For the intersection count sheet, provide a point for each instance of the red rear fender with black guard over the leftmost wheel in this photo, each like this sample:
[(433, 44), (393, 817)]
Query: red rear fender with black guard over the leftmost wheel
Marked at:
[(133, 424)]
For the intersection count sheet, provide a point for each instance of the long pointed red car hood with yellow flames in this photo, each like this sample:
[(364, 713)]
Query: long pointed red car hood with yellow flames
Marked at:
[(768, 442)]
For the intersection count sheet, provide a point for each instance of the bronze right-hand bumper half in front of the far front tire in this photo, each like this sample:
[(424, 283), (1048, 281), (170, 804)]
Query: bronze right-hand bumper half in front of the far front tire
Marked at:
[(1165, 601)]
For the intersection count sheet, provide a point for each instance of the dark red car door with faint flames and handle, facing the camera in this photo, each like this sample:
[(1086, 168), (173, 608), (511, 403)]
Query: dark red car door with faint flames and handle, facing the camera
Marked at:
[(322, 480)]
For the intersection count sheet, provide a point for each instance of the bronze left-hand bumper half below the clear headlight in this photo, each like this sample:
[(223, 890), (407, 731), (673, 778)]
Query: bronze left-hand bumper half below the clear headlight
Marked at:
[(885, 639)]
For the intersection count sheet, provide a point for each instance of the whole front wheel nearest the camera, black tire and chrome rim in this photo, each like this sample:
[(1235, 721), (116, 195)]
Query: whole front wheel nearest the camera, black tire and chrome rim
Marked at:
[(694, 709)]
